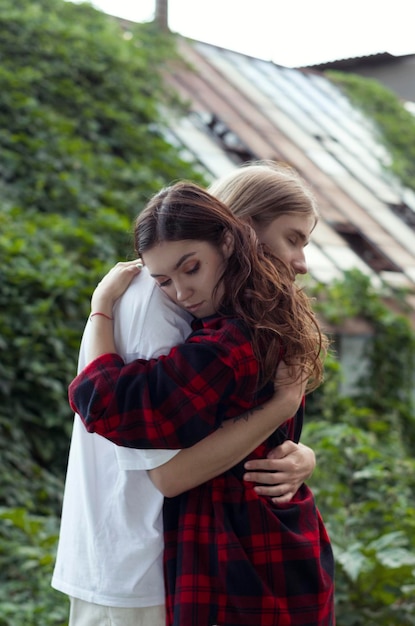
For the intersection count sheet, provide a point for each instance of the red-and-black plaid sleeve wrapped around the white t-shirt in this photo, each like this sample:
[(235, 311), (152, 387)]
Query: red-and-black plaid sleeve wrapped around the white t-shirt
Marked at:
[(170, 402)]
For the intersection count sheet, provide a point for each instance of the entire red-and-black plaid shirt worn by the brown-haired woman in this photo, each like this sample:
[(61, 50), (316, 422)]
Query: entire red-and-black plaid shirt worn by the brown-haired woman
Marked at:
[(232, 558)]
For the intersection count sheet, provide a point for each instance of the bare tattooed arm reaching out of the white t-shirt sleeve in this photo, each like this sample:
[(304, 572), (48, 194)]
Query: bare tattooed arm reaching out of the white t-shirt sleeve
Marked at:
[(228, 445)]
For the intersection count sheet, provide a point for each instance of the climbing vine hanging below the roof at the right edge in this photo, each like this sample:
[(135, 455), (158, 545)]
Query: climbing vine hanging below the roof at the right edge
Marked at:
[(386, 386)]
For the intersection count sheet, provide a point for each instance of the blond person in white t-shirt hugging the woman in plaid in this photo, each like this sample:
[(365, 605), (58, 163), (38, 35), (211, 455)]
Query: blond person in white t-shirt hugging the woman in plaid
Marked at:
[(110, 552)]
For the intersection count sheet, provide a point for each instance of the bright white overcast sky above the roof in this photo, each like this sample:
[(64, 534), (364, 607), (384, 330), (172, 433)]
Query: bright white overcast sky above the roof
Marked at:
[(288, 32)]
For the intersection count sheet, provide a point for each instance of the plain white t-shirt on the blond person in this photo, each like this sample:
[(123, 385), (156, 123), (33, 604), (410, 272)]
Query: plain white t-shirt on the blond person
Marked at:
[(111, 537)]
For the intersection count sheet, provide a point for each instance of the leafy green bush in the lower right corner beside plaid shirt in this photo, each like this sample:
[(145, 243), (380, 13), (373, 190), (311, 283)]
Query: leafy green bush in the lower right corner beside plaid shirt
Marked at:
[(366, 494)]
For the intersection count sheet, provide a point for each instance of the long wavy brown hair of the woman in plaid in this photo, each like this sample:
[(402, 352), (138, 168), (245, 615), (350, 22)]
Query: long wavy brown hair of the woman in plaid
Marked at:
[(258, 288)]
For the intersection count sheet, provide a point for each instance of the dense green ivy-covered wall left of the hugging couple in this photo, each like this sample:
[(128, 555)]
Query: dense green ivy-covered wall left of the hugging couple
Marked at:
[(82, 146)]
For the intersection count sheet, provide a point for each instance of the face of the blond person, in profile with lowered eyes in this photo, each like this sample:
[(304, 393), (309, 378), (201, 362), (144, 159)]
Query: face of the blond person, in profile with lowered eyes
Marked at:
[(287, 236)]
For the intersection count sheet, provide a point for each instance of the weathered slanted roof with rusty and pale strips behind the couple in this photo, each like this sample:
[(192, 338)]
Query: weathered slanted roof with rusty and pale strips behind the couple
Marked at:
[(244, 108)]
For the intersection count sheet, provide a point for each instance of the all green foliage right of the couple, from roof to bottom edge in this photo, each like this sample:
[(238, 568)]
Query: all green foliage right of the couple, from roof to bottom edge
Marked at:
[(365, 477)]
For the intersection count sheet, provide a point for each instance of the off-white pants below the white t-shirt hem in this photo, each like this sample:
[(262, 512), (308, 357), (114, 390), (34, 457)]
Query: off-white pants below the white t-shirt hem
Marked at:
[(87, 614)]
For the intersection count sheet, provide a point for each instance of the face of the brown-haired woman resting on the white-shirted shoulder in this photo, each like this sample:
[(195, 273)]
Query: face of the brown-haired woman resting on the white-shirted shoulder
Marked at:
[(188, 272)]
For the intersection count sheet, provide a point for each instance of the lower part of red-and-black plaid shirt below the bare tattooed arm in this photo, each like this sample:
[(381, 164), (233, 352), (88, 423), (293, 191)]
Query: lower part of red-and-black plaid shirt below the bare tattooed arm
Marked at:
[(232, 558)]
